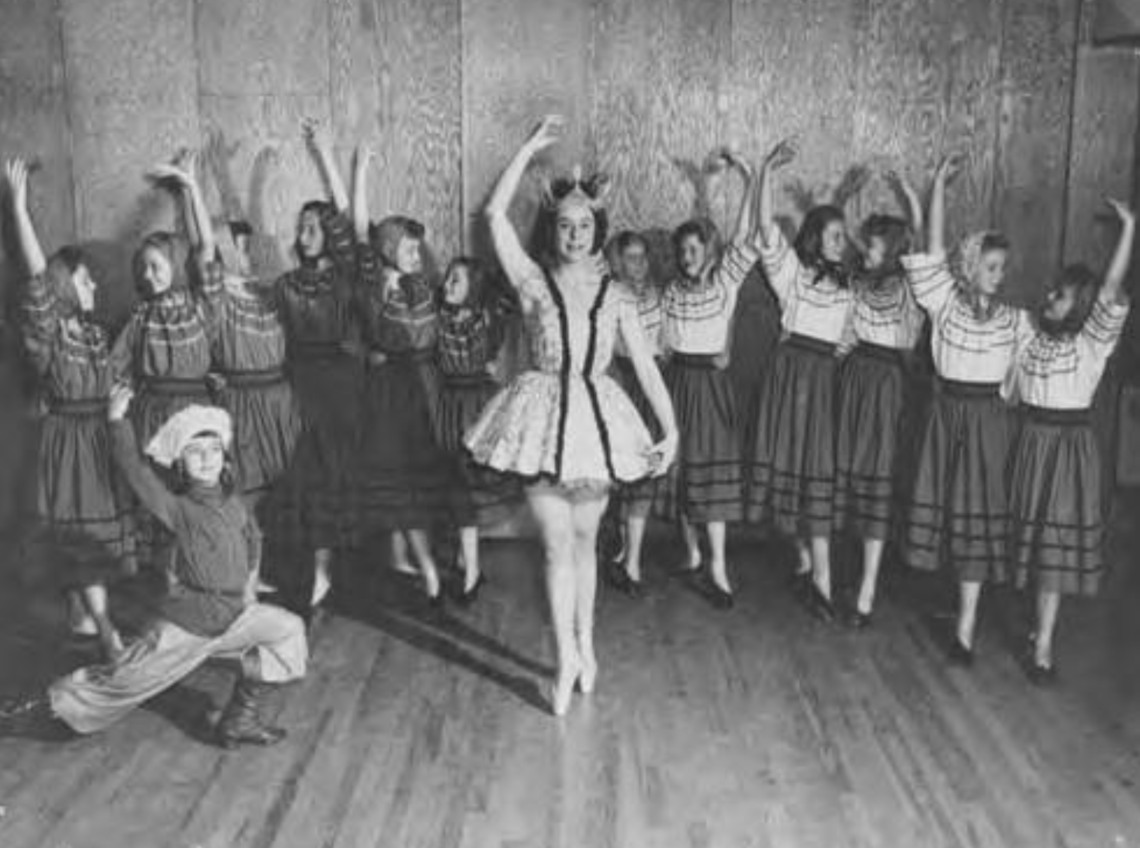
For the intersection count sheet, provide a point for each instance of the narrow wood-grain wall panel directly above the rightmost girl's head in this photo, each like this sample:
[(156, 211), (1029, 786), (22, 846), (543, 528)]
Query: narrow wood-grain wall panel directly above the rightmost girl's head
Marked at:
[(1033, 144)]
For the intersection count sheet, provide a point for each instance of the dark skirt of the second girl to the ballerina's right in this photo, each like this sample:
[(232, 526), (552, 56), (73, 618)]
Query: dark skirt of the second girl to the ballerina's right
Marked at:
[(705, 482)]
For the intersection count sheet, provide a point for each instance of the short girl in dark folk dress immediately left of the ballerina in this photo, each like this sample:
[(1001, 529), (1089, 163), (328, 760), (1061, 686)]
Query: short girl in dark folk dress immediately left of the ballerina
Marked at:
[(470, 335)]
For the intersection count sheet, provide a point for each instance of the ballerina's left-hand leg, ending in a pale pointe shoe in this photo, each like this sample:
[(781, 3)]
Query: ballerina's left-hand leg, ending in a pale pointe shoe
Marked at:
[(553, 515)]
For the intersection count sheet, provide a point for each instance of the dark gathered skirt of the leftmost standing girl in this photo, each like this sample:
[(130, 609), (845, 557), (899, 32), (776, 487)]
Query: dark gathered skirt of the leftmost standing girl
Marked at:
[(83, 528)]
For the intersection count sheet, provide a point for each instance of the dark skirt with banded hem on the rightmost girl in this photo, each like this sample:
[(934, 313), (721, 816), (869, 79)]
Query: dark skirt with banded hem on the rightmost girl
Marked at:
[(1057, 519)]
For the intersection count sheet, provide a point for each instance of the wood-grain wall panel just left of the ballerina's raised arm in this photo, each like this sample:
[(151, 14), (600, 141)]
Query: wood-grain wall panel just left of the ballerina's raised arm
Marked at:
[(396, 85)]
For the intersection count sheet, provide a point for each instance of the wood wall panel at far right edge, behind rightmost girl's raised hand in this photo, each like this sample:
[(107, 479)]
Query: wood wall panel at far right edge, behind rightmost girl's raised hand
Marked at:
[(1103, 160)]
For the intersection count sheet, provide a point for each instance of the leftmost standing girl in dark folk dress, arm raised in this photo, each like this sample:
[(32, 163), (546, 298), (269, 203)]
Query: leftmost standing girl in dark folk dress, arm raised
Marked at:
[(80, 509)]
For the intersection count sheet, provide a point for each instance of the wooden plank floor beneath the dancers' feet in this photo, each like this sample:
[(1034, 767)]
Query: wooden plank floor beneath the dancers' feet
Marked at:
[(754, 728)]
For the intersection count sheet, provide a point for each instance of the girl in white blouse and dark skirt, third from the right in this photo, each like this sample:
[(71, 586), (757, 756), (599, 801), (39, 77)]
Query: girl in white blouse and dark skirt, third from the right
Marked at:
[(886, 323)]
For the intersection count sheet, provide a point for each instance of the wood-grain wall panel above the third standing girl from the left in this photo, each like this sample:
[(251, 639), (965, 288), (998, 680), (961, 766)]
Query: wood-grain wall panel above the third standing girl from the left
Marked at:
[(264, 70)]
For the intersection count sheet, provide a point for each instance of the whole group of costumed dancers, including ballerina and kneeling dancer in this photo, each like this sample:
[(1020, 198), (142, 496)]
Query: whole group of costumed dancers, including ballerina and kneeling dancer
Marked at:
[(356, 397)]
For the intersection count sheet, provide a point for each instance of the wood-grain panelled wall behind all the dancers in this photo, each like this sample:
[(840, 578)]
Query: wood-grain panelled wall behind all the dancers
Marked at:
[(444, 91)]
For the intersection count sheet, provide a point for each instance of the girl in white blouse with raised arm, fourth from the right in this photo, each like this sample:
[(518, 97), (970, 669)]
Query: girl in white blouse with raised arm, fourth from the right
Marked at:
[(793, 458)]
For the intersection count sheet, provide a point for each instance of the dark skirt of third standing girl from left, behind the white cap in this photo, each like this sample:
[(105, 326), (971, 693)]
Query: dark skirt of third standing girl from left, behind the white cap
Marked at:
[(267, 426)]
